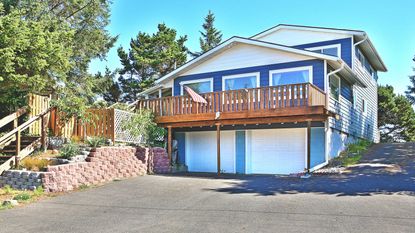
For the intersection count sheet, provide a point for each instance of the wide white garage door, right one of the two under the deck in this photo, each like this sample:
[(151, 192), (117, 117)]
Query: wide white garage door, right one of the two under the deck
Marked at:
[(276, 151)]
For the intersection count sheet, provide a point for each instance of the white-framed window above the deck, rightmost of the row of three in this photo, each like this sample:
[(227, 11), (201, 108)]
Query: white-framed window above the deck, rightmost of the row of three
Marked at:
[(291, 76)]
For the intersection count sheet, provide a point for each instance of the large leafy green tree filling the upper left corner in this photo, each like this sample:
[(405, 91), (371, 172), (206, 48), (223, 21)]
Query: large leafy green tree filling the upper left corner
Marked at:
[(46, 47)]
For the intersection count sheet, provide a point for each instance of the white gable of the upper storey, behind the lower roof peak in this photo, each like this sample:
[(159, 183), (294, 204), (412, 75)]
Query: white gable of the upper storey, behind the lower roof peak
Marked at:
[(292, 37)]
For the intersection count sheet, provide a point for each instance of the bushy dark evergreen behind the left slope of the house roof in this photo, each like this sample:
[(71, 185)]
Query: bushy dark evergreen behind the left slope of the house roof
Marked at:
[(150, 57)]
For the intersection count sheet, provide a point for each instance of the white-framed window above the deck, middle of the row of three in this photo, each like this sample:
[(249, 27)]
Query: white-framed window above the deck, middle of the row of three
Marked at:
[(240, 81)]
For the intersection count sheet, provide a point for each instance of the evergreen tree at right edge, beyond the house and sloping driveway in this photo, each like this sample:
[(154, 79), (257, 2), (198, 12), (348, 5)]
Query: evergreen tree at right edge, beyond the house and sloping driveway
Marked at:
[(396, 117)]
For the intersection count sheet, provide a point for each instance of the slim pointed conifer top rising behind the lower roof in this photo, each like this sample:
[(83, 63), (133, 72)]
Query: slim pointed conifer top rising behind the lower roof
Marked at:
[(210, 37)]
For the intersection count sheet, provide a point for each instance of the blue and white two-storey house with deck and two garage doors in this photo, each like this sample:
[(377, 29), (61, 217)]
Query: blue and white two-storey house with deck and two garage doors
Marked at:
[(283, 101)]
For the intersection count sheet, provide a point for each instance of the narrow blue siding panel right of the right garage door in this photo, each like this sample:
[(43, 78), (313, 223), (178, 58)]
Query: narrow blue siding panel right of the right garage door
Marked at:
[(317, 146)]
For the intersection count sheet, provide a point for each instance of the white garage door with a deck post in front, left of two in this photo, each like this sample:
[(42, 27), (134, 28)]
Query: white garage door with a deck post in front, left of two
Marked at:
[(201, 151)]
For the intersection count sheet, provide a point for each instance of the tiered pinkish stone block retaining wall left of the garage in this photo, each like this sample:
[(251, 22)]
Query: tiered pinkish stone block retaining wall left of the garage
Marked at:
[(102, 165)]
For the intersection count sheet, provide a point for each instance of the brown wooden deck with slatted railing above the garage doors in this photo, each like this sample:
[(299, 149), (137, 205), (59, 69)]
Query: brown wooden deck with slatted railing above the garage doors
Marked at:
[(287, 103)]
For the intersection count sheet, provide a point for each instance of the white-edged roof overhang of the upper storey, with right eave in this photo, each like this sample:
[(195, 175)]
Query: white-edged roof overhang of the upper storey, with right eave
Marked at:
[(358, 35)]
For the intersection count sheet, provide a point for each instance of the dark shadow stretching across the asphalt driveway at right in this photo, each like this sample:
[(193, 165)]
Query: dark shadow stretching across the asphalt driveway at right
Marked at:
[(359, 182)]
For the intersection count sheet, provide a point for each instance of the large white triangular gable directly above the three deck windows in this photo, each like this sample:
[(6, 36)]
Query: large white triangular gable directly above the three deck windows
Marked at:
[(244, 55)]
